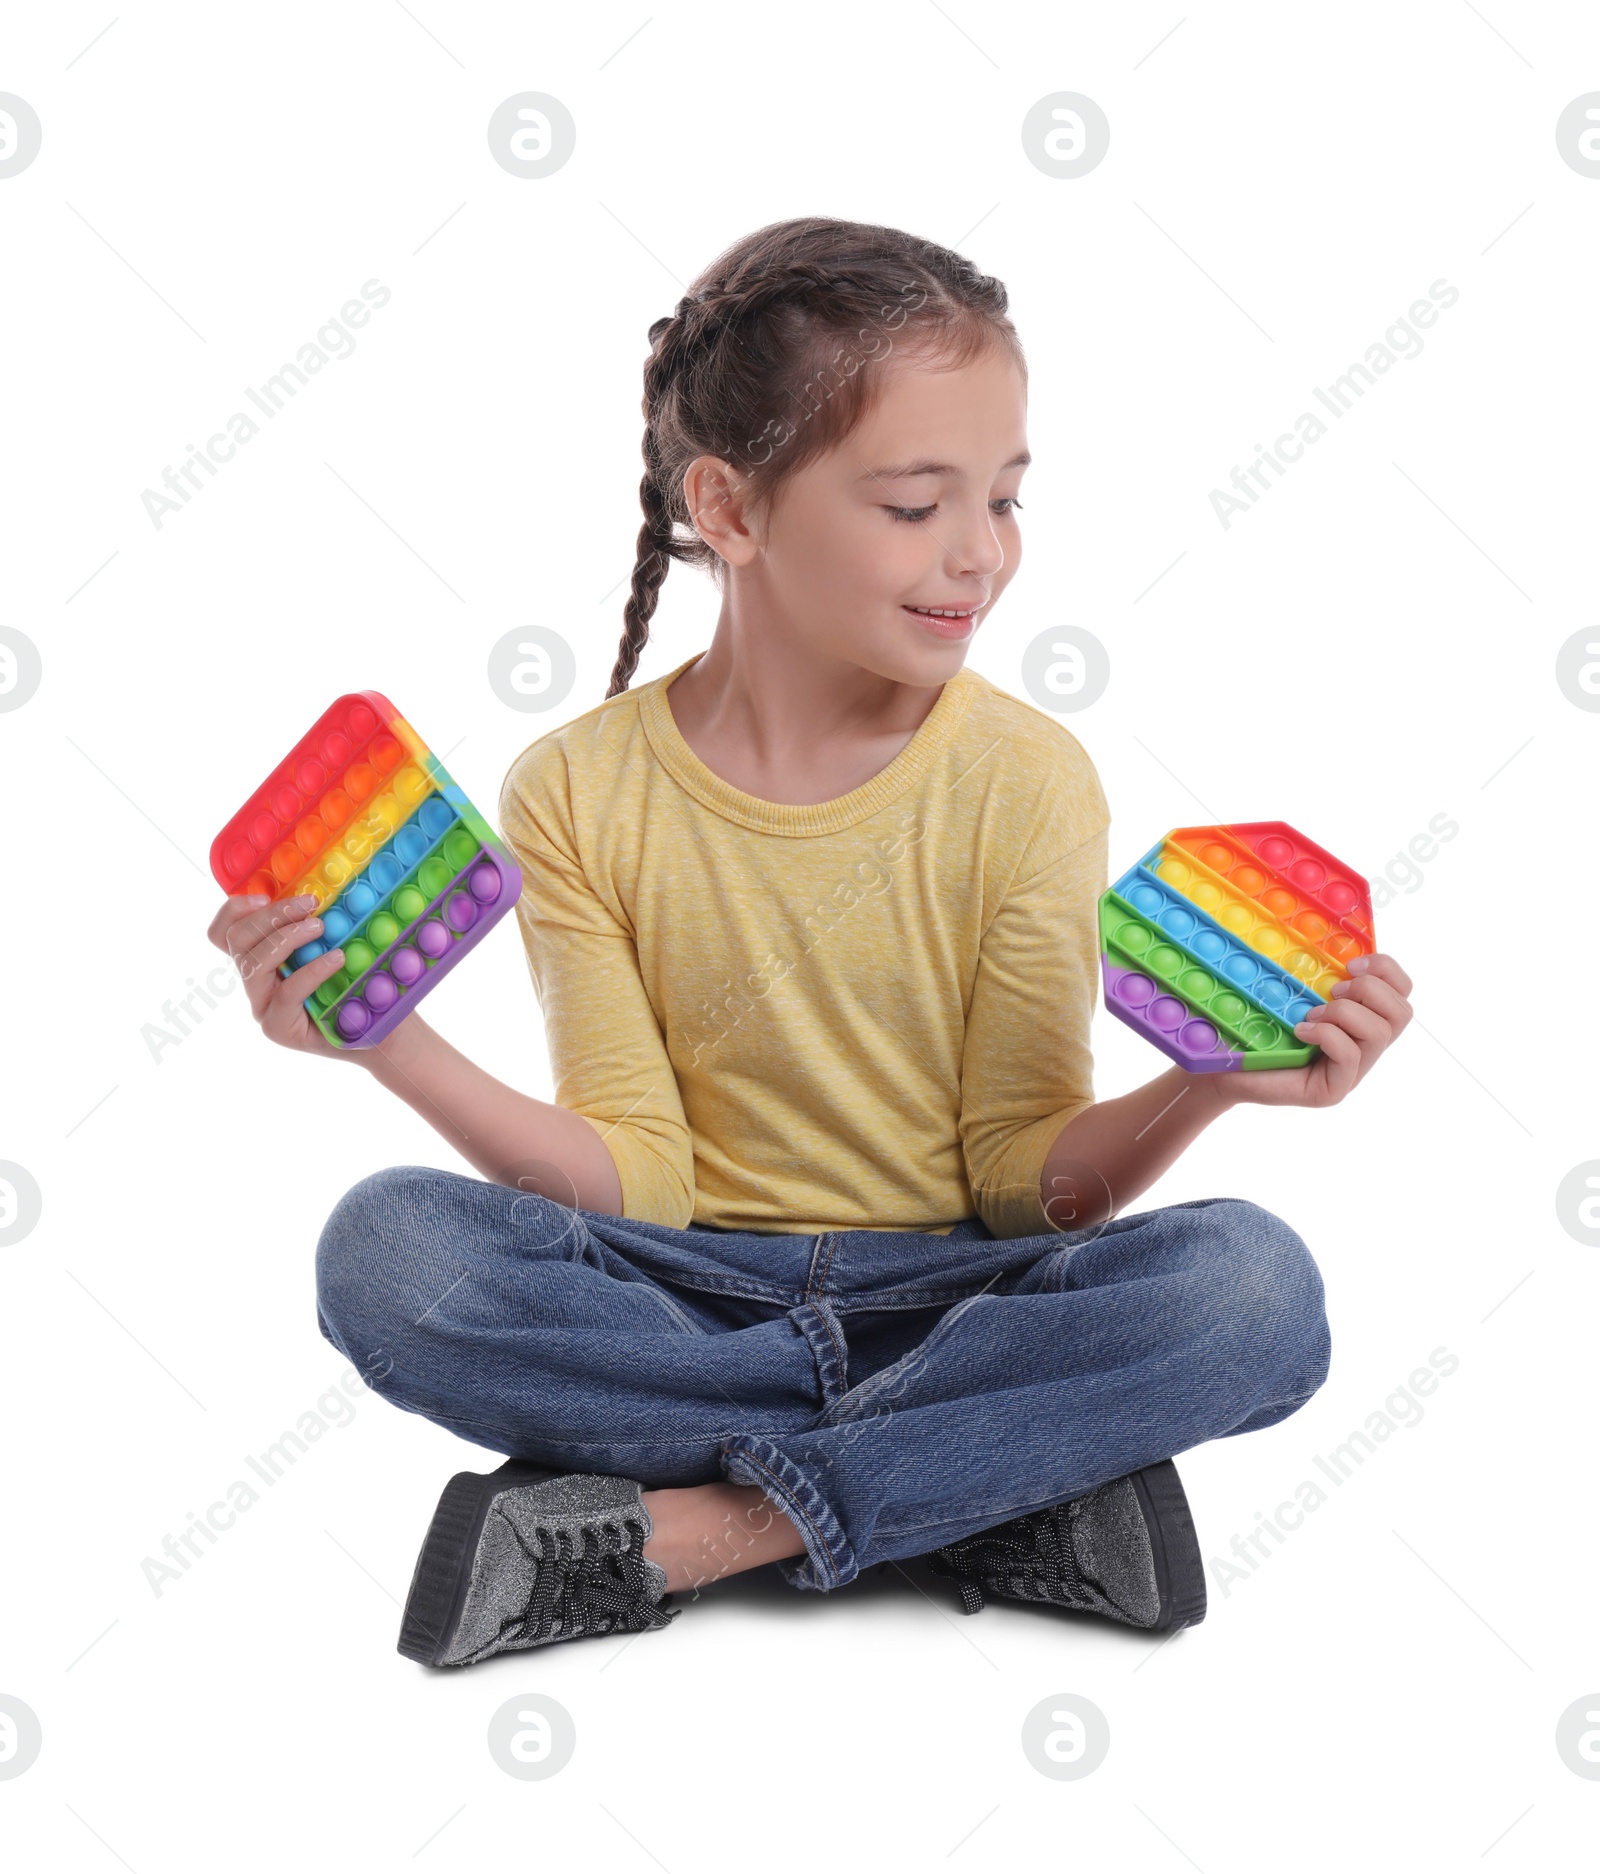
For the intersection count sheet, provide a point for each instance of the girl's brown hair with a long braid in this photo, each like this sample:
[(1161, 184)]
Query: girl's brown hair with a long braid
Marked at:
[(762, 364)]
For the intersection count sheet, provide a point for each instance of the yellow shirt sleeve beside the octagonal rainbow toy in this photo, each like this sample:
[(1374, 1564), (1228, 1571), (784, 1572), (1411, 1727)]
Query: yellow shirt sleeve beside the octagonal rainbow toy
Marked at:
[(1026, 1062)]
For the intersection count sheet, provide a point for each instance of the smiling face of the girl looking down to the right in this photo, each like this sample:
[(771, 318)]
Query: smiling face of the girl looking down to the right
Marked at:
[(889, 550)]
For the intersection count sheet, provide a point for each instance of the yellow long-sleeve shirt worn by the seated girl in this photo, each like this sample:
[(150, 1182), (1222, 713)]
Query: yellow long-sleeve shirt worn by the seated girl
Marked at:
[(863, 1015)]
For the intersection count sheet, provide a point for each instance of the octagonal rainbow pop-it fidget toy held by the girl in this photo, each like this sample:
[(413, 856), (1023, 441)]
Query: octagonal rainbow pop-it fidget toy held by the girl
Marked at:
[(1222, 938)]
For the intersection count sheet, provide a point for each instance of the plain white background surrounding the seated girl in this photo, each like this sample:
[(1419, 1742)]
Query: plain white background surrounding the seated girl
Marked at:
[(1370, 647)]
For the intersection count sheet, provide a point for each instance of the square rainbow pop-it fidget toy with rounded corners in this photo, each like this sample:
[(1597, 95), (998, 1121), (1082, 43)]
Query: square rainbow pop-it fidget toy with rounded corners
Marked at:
[(406, 870)]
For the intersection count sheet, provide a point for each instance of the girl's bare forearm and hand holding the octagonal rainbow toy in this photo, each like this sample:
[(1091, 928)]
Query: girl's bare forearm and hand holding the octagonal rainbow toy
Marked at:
[(1112, 1152)]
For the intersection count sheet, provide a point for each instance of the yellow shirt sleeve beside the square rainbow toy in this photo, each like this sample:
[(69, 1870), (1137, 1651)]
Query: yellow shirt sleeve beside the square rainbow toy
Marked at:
[(608, 1056)]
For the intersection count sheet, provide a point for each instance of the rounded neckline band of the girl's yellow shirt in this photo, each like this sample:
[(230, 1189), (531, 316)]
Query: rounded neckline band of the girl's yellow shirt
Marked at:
[(780, 816)]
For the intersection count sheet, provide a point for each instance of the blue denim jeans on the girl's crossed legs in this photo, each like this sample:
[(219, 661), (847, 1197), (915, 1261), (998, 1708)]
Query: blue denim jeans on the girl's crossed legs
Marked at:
[(889, 1391)]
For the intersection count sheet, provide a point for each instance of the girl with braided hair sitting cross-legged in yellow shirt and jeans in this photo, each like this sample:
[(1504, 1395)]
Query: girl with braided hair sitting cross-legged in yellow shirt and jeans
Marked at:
[(818, 1258)]
